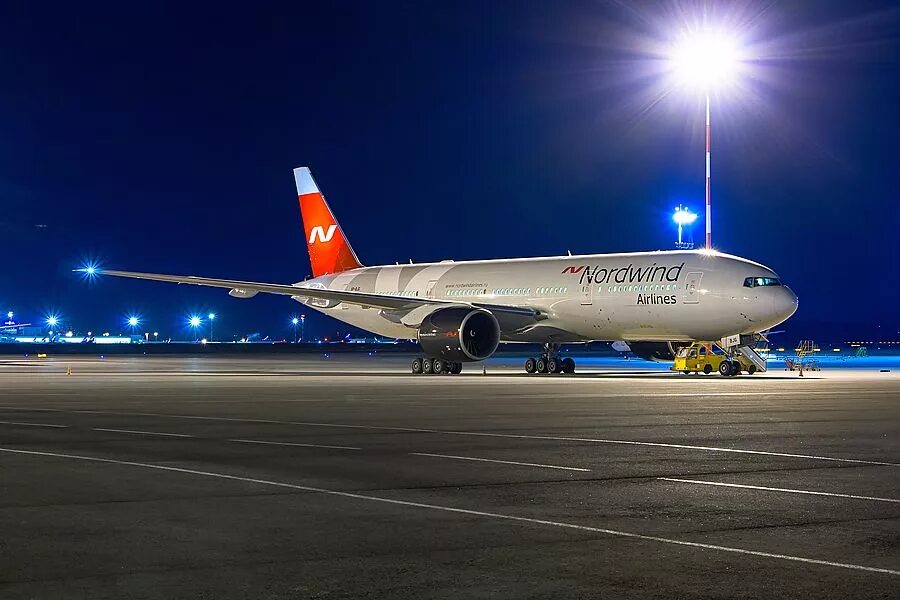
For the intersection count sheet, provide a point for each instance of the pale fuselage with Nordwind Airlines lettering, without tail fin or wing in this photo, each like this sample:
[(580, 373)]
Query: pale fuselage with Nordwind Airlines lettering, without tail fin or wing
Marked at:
[(643, 296)]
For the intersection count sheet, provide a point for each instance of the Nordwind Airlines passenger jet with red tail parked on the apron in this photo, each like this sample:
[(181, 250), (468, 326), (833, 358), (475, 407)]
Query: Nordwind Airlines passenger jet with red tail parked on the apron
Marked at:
[(460, 312)]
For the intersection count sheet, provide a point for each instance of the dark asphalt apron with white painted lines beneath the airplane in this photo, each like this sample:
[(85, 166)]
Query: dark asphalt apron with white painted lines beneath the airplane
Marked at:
[(348, 478)]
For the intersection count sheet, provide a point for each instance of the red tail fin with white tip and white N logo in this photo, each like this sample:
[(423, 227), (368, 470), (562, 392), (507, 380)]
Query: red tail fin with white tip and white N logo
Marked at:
[(329, 250)]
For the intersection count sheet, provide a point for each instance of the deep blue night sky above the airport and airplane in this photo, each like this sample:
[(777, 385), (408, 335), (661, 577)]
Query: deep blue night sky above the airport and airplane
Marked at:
[(162, 137)]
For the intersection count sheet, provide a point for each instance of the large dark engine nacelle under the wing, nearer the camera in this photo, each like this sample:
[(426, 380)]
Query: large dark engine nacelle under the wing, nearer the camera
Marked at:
[(459, 334)]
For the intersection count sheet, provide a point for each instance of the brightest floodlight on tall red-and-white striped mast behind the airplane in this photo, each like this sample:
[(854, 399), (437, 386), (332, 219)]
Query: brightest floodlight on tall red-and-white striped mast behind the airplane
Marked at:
[(706, 60)]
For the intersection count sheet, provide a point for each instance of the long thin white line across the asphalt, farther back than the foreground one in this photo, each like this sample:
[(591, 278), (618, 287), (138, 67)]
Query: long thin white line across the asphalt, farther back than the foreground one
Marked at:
[(481, 434)]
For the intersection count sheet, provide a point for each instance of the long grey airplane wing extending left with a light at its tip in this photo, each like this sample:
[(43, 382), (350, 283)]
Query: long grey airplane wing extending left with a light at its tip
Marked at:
[(515, 316)]
